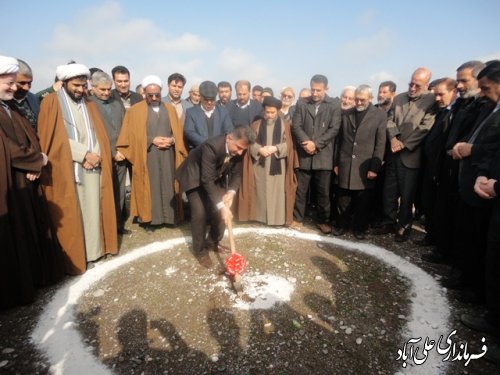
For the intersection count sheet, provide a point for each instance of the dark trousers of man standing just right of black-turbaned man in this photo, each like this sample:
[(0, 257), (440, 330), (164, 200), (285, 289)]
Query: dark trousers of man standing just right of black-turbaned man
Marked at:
[(321, 179)]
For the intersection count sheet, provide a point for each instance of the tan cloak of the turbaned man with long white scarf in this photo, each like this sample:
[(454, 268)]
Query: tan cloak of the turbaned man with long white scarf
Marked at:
[(58, 183)]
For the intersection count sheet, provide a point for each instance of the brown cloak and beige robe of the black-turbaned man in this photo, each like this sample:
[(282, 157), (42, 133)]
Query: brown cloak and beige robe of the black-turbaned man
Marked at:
[(258, 195)]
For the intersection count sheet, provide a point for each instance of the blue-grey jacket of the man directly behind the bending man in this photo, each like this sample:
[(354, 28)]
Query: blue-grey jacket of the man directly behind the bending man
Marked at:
[(195, 125)]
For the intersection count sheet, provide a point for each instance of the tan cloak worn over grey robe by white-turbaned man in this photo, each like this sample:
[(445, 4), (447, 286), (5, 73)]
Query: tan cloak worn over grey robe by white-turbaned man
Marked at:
[(133, 143)]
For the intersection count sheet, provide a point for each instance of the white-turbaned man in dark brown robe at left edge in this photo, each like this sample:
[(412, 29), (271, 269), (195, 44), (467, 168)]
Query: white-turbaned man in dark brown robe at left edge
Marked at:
[(30, 253)]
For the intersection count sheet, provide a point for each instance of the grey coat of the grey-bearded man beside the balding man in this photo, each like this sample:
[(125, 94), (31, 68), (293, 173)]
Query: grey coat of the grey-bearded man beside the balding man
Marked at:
[(361, 149)]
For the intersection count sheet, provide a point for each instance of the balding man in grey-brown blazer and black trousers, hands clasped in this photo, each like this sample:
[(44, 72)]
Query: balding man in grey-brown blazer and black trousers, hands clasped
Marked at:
[(409, 121)]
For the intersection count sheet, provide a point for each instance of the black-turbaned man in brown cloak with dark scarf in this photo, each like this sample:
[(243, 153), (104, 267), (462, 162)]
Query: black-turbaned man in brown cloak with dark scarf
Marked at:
[(267, 192)]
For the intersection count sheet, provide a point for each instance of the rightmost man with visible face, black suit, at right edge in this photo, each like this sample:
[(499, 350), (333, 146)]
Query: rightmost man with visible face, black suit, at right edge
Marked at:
[(472, 214)]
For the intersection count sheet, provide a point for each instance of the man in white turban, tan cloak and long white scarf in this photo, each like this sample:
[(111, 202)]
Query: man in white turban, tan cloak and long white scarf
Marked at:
[(77, 181)]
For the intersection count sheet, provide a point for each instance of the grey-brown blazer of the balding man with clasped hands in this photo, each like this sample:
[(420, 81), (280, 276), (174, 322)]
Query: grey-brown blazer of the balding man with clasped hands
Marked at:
[(410, 122)]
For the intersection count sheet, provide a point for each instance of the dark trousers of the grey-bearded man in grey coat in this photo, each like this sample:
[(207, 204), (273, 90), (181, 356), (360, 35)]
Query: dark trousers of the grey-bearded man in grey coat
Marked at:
[(354, 208)]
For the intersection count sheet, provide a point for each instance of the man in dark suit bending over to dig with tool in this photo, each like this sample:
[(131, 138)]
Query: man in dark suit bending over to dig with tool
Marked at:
[(210, 176)]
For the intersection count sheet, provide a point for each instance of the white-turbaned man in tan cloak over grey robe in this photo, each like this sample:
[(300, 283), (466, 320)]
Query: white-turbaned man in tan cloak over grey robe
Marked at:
[(151, 139)]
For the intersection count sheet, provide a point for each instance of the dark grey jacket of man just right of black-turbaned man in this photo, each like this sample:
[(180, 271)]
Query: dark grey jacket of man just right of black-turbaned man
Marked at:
[(321, 128)]
